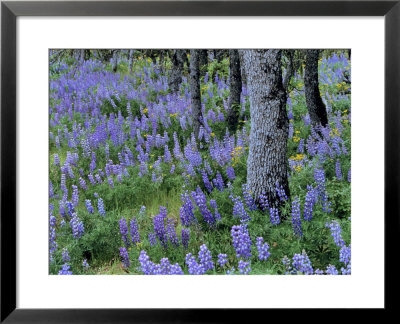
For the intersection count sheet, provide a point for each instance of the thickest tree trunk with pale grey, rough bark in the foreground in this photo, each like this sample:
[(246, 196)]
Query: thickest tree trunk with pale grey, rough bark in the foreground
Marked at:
[(267, 161)]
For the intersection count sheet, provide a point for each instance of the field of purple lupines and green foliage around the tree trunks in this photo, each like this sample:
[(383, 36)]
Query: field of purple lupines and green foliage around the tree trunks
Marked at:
[(133, 190)]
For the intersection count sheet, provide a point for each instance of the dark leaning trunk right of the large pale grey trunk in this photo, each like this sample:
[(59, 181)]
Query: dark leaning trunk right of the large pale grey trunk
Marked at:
[(315, 105)]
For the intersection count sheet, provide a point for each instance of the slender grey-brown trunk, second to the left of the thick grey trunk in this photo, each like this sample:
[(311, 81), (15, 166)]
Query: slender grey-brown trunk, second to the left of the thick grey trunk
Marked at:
[(195, 90)]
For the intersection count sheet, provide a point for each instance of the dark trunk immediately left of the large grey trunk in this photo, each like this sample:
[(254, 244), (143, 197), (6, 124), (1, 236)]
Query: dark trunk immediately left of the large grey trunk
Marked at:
[(235, 87)]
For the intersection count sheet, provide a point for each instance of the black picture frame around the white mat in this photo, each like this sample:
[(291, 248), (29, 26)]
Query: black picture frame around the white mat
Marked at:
[(10, 10)]
